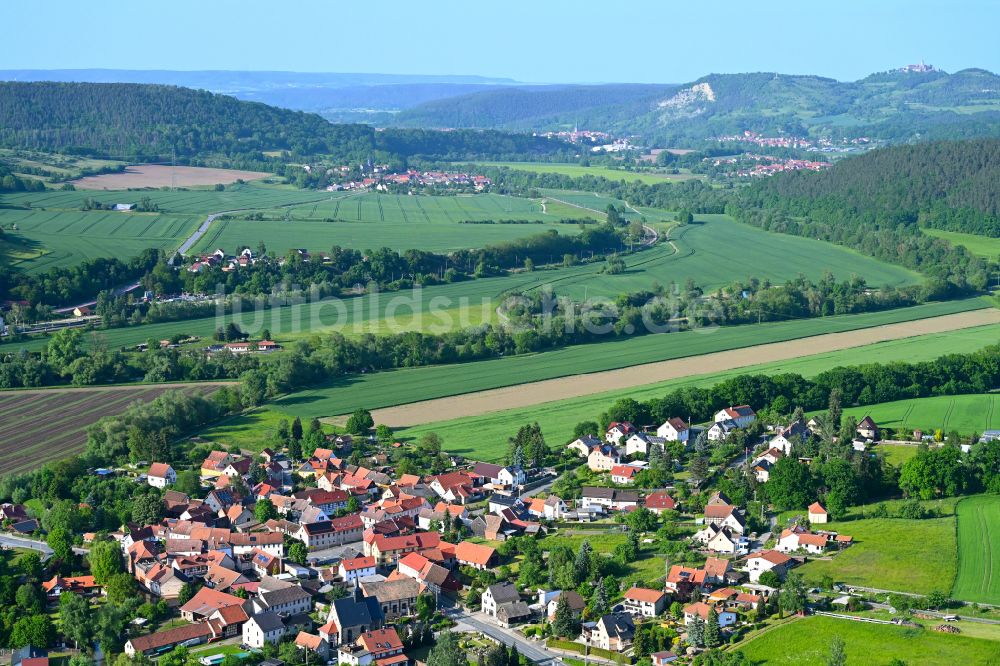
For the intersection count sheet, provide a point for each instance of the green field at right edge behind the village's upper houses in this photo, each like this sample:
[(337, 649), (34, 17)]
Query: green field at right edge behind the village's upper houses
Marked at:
[(965, 413)]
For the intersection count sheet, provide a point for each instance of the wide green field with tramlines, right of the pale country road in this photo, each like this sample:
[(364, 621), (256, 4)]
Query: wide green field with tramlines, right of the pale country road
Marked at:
[(368, 221)]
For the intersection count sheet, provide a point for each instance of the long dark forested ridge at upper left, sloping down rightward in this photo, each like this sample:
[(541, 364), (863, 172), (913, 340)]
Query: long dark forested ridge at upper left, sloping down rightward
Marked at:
[(140, 122)]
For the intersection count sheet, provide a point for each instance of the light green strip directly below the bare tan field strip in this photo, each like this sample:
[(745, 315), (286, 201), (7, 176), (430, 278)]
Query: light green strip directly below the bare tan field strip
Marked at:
[(484, 437)]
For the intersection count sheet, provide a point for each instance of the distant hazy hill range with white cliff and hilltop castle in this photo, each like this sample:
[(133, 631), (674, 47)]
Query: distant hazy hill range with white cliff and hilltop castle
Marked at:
[(895, 106)]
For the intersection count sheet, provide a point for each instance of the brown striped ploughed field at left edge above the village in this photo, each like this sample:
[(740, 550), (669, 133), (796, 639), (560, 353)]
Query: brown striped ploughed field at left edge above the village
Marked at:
[(37, 426)]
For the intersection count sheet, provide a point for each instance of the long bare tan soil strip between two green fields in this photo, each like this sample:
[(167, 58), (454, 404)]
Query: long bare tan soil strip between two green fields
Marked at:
[(573, 386)]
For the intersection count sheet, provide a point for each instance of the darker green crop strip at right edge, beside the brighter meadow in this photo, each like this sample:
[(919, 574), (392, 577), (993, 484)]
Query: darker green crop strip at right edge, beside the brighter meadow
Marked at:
[(978, 550)]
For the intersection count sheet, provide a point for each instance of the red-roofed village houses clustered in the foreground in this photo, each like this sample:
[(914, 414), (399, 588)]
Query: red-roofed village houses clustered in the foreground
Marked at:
[(355, 562)]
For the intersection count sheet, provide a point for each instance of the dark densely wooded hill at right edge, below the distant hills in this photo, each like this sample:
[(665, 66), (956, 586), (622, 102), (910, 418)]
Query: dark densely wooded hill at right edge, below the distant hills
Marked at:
[(952, 185)]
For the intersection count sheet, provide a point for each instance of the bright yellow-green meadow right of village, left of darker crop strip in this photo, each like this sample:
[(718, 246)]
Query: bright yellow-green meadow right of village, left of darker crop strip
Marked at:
[(918, 556)]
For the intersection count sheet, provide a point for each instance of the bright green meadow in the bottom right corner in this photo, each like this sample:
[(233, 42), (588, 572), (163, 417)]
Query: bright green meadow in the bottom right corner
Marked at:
[(806, 642)]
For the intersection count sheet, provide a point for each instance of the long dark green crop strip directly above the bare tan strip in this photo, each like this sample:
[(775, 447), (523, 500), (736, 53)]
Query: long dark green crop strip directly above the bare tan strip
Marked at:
[(394, 387)]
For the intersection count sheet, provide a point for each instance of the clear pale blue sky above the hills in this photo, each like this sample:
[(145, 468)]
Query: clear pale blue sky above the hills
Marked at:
[(543, 41)]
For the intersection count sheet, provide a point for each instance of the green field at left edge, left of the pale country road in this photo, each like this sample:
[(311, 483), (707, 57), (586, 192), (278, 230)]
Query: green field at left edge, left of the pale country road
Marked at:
[(48, 238)]
